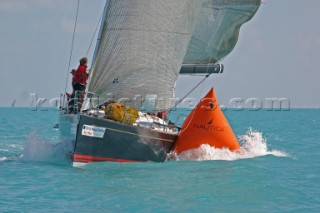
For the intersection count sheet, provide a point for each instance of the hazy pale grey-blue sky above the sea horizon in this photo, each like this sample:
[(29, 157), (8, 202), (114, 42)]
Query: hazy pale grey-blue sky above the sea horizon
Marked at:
[(277, 55)]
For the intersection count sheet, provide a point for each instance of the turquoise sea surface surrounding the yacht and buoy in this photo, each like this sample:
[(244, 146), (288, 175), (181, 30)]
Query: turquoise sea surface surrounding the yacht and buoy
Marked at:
[(277, 170)]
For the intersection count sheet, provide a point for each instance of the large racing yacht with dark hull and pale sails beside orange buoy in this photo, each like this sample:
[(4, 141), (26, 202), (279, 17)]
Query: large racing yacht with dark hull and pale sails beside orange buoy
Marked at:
[(143, 45)]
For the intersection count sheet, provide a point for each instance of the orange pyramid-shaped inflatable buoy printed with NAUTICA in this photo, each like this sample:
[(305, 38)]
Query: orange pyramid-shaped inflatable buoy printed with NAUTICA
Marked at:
[(206, 124)]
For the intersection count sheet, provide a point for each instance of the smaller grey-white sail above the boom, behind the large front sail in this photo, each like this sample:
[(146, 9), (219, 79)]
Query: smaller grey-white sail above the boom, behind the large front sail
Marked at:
[(217, 29)]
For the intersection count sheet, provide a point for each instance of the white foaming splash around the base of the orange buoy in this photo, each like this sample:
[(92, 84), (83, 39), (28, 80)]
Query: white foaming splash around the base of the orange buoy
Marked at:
[(252, 145)]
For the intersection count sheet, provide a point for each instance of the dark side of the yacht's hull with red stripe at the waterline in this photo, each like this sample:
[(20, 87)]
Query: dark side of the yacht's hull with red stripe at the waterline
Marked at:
[(99, 139)]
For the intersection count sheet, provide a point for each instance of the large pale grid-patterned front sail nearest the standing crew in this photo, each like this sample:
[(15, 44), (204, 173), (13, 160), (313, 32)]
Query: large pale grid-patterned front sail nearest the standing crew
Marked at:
[(141, 50)]
